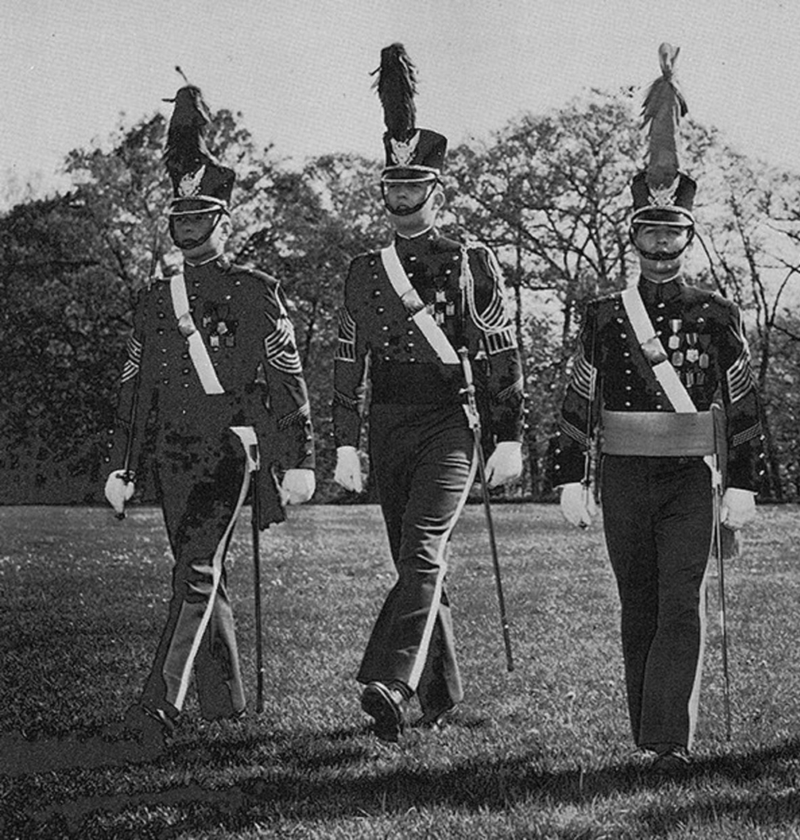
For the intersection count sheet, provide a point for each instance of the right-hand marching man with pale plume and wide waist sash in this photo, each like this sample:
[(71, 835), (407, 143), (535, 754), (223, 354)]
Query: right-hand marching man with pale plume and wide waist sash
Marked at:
[(656, 366)]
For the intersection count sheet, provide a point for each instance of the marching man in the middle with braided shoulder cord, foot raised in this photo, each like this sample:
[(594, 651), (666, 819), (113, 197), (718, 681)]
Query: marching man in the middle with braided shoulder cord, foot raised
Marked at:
[(407, 309)]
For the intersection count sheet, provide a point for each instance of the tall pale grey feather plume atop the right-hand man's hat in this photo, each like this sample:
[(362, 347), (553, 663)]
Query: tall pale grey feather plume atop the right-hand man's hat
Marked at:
[(663, 108)]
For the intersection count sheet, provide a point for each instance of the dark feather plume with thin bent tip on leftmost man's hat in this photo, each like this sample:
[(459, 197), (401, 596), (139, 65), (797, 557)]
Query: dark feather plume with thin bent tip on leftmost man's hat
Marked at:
[(187, 148)]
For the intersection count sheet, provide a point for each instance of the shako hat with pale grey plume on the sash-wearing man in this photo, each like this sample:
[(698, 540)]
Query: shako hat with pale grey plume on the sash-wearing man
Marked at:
[(662, 194)]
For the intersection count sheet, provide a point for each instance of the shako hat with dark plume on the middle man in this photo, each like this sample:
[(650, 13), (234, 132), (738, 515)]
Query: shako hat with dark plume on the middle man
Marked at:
[(412, 154)]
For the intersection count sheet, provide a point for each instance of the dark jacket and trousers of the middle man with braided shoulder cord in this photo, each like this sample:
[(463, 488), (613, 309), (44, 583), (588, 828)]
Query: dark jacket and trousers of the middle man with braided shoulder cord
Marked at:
[(421, 448)]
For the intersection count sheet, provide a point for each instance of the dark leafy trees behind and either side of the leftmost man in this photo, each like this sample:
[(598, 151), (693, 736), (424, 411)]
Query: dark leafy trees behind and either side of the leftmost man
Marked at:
[(304, 228)]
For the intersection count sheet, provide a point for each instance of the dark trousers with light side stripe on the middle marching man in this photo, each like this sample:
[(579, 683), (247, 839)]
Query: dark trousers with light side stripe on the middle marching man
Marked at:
[(422, 460)]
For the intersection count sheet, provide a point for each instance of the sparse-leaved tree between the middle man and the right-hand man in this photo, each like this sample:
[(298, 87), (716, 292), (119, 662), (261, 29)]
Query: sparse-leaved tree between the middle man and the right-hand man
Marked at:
[(549, 195)]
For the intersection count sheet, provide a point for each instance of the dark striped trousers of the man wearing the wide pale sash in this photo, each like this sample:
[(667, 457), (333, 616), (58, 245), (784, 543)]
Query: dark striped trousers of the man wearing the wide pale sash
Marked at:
[(657, 515)]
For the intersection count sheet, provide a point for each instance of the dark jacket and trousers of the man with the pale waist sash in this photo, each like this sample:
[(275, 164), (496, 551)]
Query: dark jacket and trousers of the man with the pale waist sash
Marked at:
[(657, 509)]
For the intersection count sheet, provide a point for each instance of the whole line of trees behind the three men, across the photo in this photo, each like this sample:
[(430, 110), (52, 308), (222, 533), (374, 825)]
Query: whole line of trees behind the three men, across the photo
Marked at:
[(548, 193)]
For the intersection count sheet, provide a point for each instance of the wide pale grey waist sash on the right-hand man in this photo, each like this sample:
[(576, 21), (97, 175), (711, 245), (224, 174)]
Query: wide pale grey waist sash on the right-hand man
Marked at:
[(658, 433)]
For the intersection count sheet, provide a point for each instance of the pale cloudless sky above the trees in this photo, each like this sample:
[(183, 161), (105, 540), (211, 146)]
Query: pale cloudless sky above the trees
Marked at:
[(298, 70)]
